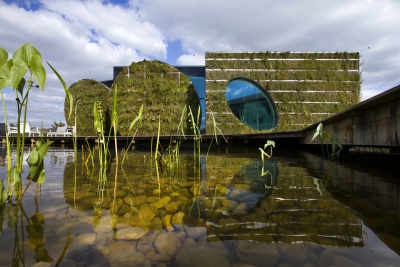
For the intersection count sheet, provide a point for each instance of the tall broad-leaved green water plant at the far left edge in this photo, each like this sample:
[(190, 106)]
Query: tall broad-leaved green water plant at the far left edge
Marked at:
[(25, 60)]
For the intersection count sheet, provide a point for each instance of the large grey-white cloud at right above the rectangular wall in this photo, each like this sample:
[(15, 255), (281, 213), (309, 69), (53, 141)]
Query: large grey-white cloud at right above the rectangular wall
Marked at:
[(307, 25)]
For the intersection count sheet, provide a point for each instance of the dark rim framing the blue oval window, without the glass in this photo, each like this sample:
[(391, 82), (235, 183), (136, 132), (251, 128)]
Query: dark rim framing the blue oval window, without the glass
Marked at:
[(264, 93)]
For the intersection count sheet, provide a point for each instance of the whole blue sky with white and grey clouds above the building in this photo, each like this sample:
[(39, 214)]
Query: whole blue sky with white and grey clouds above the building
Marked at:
[(84, 39)]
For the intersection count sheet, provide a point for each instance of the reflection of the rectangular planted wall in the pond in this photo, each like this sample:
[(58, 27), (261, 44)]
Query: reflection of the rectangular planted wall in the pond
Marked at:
[(295, 210)]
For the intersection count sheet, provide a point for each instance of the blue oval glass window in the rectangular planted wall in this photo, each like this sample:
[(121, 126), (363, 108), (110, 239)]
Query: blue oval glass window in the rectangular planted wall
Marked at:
[(251, 104)]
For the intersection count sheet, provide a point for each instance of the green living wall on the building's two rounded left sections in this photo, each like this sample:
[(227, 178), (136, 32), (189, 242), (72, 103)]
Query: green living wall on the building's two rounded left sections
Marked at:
[(165, 93)]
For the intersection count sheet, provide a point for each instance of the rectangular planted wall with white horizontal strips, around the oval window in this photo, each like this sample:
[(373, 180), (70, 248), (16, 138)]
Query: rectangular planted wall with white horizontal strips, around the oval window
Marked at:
[(306, 87)]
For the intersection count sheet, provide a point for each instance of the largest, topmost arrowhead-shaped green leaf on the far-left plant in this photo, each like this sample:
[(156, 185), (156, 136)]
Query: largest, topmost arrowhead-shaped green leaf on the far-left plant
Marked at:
[(28, 57)]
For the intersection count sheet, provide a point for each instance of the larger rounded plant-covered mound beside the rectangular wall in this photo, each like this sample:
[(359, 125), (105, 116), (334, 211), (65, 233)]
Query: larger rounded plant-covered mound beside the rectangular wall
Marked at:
[(165, 94)]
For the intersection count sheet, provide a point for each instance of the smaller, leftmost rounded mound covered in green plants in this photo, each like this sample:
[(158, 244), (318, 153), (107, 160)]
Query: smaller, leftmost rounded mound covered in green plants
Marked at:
[(85, 93)]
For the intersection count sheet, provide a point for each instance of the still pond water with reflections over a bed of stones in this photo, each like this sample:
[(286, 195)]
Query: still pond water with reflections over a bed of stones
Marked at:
[(227, 208)]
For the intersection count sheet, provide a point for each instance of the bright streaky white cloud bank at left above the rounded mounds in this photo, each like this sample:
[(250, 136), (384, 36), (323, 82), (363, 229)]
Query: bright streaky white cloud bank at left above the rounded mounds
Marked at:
[(81, 39)]
